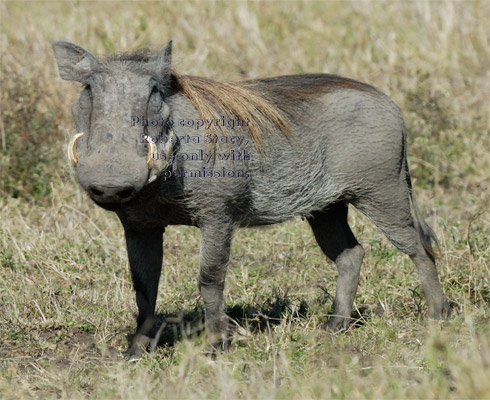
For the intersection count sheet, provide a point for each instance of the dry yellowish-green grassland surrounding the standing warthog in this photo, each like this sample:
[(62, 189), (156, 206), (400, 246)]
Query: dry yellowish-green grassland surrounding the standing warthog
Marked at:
[(66, 301)]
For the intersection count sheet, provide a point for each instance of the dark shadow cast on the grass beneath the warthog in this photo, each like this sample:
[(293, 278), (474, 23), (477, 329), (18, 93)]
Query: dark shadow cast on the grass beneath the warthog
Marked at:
[(170, 328)]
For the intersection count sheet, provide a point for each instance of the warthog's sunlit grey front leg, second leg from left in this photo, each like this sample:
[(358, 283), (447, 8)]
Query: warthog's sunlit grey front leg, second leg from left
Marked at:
[(213, 262)]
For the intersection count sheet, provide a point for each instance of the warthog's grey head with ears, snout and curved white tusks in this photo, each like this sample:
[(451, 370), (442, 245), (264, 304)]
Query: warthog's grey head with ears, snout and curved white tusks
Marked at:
[(111, 154)]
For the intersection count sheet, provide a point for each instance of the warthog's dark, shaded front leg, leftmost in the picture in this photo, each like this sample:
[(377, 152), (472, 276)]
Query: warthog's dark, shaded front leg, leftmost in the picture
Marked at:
[(145, 252)]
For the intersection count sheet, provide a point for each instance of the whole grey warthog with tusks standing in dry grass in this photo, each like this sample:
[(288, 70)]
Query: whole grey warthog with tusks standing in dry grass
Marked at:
[(160, 149)]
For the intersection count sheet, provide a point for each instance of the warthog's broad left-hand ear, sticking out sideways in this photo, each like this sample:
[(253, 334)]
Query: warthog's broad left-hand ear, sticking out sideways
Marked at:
[(74, 63)]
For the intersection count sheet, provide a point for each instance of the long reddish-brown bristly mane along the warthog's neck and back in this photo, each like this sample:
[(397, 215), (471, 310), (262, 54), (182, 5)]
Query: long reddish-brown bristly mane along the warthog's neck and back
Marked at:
[(263, 101)]
